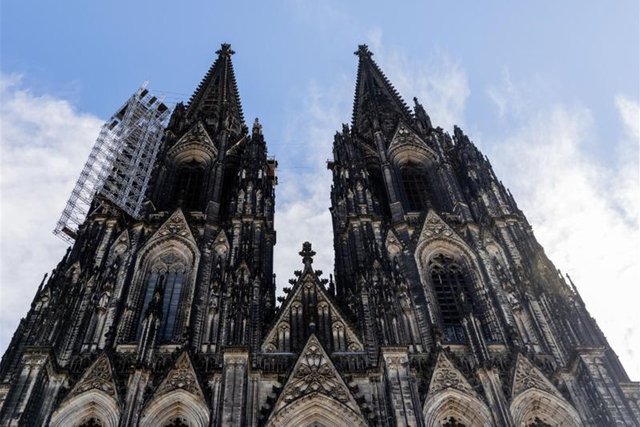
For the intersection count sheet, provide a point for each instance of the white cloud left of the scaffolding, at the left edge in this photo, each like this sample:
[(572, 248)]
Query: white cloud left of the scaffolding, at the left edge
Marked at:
[(43, 144)]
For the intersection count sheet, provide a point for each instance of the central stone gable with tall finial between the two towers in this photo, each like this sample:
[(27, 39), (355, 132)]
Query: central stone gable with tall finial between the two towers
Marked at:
[(309, 307)]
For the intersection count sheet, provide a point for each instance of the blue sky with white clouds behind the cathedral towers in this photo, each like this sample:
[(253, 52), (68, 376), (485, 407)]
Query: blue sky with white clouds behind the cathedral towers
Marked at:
[(548, 90)]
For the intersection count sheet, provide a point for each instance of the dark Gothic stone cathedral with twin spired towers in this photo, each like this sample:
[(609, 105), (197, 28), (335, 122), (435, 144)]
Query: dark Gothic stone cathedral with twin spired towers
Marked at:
[(443, 309)]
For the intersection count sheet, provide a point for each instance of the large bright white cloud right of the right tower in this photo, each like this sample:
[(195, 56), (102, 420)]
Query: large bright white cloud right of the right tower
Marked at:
[(583, 212)]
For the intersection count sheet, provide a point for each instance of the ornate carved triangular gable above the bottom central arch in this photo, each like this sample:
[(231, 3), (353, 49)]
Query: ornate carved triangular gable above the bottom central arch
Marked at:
[(315, 373)]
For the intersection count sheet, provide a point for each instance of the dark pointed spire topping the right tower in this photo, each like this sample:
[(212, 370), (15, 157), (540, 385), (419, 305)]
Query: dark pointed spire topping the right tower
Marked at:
[(375, 99)]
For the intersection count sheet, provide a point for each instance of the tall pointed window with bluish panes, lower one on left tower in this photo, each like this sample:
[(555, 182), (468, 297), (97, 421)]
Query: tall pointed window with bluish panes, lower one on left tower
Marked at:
[(167, 276)]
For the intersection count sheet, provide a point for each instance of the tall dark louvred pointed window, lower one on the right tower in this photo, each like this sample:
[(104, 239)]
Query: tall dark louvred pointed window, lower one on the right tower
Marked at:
[(451, 288)]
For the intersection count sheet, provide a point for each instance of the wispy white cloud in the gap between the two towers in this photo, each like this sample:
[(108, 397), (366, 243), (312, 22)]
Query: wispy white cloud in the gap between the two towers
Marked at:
[(302, 196)]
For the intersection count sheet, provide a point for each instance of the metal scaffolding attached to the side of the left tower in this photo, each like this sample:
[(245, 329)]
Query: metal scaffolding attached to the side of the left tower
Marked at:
[(120, 163)]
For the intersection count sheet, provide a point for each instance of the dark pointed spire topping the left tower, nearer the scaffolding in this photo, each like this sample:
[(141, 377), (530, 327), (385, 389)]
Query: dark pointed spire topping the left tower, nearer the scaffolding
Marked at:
[(216, 100)]
